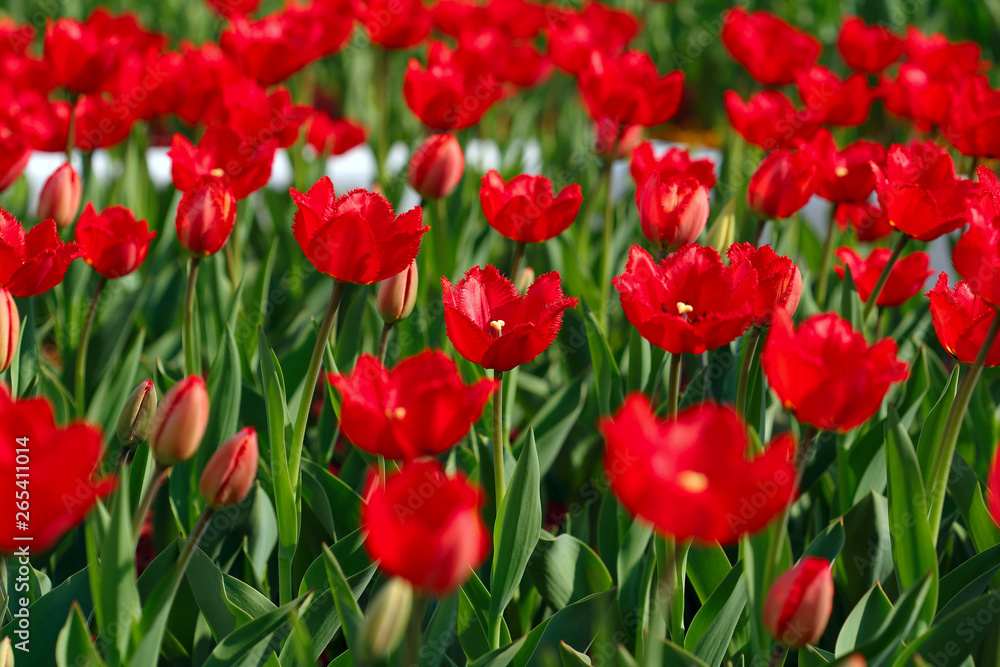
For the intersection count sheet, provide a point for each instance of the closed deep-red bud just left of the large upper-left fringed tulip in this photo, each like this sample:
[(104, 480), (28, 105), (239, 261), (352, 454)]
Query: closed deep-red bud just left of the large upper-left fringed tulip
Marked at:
[(205, 216)]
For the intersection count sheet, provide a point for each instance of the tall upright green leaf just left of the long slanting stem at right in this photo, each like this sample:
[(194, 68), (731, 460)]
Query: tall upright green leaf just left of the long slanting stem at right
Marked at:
[(913, 551)]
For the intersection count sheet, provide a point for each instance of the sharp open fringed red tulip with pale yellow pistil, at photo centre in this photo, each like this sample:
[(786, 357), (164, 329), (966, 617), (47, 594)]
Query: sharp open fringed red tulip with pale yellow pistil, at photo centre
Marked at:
[(492, 325)]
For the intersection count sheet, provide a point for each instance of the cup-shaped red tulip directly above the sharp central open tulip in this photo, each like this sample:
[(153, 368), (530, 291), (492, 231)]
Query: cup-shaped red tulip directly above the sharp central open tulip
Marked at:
[(525, 210)]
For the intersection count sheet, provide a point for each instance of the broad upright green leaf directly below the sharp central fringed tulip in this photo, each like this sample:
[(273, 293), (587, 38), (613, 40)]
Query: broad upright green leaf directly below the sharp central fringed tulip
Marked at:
[(519, 520)]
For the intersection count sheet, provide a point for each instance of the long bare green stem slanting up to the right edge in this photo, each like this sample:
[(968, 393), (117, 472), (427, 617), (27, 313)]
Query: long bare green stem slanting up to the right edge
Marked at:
[(937, 484)]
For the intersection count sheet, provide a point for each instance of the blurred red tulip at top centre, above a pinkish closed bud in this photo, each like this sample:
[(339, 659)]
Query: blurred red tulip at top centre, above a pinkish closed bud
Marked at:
[(628, 88)]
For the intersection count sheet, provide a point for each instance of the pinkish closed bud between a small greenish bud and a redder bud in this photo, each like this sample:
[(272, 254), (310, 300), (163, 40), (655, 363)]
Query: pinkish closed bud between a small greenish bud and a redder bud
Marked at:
[(180, 421)]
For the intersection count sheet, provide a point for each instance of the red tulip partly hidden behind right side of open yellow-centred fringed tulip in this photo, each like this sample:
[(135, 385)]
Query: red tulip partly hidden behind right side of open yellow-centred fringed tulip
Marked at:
[(779, 282)]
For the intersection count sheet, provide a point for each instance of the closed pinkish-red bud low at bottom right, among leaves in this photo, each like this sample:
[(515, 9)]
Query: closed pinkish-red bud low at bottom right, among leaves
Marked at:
[(799, 604)]
